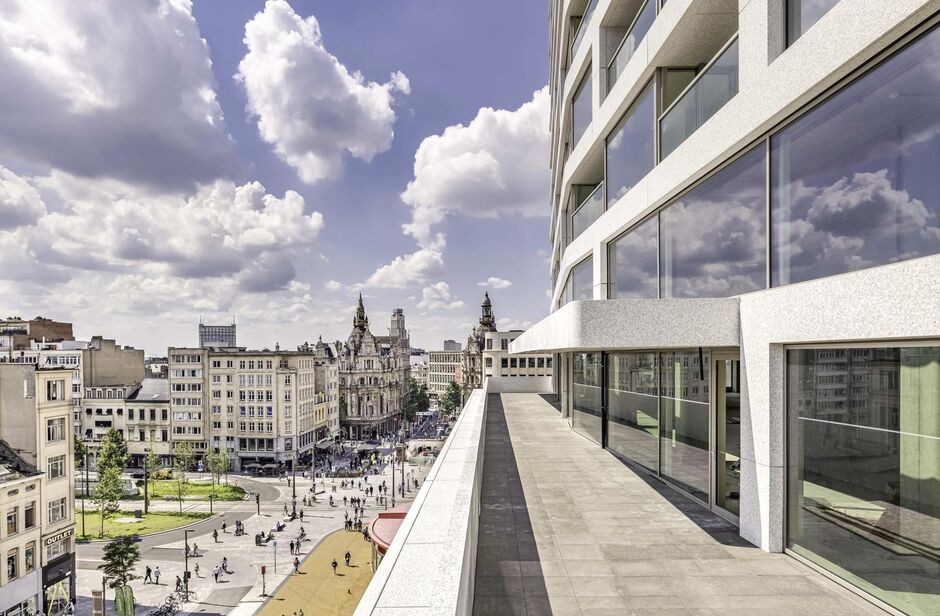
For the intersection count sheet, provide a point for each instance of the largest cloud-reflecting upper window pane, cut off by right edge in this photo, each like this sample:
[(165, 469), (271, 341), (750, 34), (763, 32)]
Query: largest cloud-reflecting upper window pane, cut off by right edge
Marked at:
[(854, 182)]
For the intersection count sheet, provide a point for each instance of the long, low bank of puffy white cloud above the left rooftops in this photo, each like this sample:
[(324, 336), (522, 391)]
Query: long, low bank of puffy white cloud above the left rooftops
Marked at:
[(222, 230)]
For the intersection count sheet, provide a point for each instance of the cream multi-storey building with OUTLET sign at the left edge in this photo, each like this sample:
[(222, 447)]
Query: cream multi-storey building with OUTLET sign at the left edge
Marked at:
[(35, 415)]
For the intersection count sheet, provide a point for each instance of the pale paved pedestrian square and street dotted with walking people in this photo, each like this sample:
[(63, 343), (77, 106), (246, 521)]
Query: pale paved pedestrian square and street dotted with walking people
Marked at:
[(240, 590)]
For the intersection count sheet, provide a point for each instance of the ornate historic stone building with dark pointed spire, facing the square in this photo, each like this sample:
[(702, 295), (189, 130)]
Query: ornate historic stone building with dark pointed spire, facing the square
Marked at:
[(374, 372)]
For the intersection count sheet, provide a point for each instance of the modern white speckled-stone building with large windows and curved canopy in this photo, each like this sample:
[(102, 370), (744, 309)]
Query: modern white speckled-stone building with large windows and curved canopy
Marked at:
[(745, 243)]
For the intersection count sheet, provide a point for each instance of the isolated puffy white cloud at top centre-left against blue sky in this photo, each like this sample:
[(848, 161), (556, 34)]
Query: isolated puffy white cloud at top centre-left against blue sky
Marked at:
[(309, 106)]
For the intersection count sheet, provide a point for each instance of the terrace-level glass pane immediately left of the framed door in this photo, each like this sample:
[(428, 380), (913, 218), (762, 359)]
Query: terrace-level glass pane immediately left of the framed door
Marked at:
[(684, 455)]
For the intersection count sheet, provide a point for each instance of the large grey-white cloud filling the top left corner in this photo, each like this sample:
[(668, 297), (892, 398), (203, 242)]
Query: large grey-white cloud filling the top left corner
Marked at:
[(111, 89)]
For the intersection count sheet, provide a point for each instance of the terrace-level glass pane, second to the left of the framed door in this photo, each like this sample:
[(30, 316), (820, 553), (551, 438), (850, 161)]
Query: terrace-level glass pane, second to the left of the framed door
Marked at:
[(633, 407)]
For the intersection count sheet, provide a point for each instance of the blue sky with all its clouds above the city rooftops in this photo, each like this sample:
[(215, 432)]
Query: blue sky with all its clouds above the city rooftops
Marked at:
[(166, 161)]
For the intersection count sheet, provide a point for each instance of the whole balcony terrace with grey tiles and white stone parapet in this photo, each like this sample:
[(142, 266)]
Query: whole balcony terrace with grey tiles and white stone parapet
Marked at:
[(523, 516)]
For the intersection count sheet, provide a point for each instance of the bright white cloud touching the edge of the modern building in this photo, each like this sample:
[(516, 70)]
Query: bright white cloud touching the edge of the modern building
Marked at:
[(495, 165)]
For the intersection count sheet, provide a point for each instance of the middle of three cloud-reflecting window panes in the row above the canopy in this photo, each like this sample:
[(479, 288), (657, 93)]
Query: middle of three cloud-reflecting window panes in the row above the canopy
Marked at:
[(713, 237)]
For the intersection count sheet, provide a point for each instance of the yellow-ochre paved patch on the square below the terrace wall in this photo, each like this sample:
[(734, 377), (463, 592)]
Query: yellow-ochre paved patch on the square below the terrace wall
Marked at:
[(316, 590)]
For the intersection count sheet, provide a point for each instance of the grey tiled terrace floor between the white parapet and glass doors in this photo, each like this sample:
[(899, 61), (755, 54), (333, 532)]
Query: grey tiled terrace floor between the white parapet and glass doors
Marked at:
[(567, 529)]
